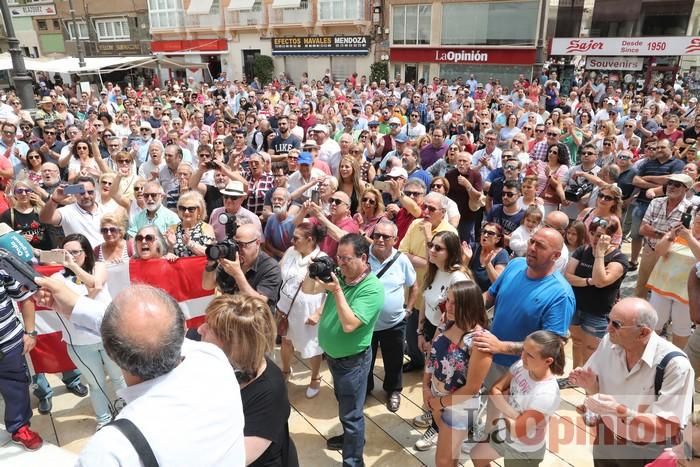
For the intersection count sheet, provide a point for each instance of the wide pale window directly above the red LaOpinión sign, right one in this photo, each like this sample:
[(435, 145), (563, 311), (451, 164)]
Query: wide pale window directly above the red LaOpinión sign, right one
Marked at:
[(492, 23)]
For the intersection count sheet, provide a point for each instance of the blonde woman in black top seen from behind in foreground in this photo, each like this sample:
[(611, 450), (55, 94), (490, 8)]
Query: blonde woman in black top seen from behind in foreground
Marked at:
[(244, 328)]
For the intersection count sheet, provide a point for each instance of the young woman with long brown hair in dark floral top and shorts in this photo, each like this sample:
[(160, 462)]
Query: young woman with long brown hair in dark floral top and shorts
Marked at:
[(455, 371)]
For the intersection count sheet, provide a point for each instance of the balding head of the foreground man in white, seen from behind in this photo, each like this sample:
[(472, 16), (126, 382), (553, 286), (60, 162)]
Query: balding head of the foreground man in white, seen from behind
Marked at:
[(143, 330)]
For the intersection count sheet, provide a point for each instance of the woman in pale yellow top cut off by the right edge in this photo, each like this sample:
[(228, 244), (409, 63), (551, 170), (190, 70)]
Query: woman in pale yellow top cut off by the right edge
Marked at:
[(677, 251)]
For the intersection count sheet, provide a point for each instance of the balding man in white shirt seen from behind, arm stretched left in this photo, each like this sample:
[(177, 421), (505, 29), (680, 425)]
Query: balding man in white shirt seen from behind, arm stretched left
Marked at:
[(169, 380)]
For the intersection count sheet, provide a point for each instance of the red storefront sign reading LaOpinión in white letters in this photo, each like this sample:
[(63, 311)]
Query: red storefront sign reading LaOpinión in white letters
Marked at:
[(463, 55)]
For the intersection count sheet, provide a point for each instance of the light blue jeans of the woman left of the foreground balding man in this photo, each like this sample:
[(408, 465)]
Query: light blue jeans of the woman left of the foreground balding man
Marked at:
[(93, 365)]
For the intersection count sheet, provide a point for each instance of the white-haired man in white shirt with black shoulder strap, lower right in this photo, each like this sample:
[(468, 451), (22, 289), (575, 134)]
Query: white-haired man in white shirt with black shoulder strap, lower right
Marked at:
[(639, 385)]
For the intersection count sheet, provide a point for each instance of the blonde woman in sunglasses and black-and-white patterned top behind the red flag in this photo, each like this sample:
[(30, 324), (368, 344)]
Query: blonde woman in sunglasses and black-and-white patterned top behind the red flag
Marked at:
[(191, 235)]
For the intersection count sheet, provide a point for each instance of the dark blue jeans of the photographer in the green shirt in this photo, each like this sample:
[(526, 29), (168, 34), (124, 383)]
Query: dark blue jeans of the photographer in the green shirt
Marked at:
[(350, 386)]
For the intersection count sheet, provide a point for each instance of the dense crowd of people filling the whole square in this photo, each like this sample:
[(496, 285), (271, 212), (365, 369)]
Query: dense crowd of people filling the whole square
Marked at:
[(466, 229)]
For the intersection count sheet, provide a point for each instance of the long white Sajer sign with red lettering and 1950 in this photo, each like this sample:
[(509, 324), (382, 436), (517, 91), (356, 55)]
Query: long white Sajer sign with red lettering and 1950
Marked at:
[(626, 46)]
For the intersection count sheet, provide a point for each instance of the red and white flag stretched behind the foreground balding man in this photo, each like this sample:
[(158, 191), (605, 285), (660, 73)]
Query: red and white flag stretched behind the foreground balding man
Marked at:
[(181, 279)]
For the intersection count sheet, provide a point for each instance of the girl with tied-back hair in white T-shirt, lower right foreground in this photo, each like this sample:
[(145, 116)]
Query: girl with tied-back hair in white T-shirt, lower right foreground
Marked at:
[(527, 396)]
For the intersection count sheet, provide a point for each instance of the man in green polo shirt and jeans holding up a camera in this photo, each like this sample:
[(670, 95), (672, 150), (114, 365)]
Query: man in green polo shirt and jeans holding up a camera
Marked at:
[(345, 334)]
